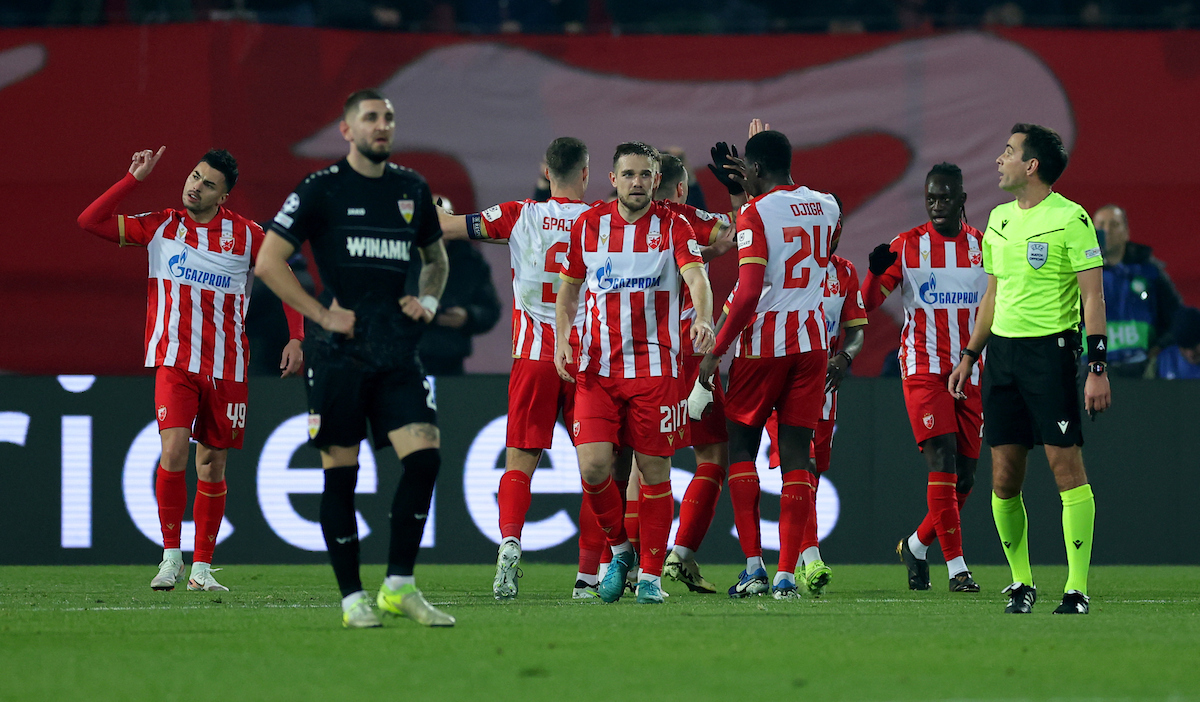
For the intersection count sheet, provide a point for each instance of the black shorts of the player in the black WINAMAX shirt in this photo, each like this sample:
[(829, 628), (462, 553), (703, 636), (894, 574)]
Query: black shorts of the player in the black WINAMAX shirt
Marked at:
[(344, 397)]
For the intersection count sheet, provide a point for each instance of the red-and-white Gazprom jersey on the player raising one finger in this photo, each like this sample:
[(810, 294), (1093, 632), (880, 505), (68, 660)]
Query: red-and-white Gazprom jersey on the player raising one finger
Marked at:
[(197, 297)]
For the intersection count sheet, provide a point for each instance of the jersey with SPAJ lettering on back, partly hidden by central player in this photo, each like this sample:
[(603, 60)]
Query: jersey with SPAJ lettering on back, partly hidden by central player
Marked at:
[(538, 236)]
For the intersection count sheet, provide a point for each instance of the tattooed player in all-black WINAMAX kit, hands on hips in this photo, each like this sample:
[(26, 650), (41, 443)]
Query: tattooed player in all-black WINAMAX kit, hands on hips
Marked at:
[(363, 218)]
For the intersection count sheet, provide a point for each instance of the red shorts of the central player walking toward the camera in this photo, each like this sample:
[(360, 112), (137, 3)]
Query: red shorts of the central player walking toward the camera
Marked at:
[(647, 415)]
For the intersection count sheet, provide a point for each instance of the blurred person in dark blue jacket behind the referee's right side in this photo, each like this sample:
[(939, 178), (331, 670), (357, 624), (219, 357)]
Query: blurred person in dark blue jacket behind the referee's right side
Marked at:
[(1138, 295)]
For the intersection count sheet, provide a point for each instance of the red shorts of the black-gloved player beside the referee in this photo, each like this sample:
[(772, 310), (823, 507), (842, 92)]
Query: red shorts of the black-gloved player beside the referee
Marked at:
[(934, 412)]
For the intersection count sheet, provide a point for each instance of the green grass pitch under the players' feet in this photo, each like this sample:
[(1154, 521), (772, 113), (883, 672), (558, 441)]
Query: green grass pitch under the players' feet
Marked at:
[(99, 633)]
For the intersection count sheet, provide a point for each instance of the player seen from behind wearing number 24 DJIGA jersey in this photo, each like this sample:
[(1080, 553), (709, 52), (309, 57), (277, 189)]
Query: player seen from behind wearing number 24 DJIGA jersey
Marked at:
[(777, 320)]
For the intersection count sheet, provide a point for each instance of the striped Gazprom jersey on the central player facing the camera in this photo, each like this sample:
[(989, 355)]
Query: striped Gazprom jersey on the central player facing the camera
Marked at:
[(633, 275)]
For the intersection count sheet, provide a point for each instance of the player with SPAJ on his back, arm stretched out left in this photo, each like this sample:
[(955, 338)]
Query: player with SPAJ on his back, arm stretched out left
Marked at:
[(538, 236)]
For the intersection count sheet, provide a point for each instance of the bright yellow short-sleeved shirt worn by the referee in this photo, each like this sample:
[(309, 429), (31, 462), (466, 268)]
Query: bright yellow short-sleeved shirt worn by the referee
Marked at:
[(1035, 255)]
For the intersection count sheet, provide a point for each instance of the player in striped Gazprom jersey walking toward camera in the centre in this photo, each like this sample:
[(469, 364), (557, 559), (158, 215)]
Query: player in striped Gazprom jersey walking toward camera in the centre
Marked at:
[(632, 254)]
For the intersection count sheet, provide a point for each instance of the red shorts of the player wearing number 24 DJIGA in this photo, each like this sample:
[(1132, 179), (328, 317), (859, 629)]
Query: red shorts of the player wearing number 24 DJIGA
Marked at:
[(793, 385)]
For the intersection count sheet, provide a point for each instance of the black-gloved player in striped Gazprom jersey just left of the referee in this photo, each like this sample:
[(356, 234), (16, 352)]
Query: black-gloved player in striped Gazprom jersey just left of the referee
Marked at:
[(939, 269)]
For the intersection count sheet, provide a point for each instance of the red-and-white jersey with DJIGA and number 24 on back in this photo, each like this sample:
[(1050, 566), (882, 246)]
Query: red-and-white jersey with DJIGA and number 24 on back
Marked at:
[(789, 231)]
